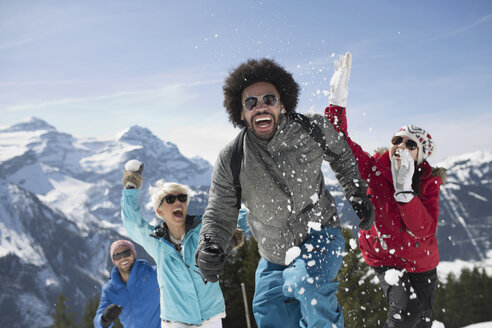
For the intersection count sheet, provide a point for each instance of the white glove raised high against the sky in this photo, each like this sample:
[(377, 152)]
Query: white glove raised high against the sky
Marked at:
[(339, 81)]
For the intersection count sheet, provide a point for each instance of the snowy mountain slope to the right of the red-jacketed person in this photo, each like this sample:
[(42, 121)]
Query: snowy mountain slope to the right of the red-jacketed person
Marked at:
[(465, 220)]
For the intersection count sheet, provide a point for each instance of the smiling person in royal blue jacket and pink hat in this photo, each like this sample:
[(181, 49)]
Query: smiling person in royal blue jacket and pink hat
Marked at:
[(132, 292)]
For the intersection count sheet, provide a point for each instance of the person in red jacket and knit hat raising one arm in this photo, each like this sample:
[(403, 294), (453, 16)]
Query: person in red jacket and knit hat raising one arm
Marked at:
[(401, 246)]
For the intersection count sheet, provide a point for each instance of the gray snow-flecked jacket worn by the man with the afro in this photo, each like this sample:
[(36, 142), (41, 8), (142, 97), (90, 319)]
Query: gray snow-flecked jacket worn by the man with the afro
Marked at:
[(282, 186)]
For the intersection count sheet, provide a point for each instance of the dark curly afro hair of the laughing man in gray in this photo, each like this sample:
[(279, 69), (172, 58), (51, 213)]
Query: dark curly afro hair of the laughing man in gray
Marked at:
[(251, 72)]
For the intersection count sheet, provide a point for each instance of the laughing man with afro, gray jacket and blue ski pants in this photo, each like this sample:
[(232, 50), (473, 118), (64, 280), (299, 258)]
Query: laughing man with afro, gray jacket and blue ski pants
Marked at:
[(293, 217)]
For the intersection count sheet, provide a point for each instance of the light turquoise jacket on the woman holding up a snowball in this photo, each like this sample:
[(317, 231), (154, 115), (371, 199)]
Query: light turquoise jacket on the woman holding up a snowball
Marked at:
[(184, 296)]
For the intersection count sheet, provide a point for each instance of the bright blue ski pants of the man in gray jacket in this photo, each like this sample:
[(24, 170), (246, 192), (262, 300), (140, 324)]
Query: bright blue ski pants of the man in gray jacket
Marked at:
[(302, 294)]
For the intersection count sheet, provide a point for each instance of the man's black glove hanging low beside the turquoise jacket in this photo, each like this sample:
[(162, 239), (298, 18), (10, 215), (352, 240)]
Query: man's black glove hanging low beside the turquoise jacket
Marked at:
[(210, 259)]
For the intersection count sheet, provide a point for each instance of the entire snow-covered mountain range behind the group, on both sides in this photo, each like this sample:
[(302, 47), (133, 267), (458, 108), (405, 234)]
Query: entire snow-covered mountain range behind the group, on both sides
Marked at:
[(60, 211)]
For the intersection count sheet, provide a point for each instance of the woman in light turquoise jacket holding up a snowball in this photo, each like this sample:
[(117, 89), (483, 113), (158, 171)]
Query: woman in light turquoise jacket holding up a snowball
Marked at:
[(187, 299)]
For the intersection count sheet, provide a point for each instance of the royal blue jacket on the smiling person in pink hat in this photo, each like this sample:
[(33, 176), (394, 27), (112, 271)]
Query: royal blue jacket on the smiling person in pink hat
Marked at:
[(139, 297)]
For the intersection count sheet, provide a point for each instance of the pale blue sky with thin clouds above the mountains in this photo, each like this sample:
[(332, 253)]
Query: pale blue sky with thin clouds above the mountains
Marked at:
[(95, 68)]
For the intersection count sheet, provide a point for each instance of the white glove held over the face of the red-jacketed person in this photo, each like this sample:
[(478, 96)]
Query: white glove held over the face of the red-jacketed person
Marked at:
[(402, 176)]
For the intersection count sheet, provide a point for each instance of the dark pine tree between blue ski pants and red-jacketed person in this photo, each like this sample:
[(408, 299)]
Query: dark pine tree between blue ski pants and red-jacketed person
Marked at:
[(362, 300)]
